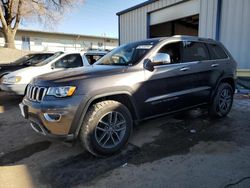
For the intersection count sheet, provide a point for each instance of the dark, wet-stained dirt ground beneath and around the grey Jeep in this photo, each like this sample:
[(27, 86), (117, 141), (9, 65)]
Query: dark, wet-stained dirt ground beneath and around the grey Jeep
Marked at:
[(188, 150)]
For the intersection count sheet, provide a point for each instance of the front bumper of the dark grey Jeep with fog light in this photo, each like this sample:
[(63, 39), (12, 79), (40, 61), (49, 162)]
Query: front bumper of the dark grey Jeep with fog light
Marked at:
[(62, 111)]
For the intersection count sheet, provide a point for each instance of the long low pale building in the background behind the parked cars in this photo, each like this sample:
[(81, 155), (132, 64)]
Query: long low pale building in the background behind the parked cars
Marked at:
[(32, 40)]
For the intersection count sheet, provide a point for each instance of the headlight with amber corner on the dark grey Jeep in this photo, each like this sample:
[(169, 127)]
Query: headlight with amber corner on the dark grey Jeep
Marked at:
[(65, 91)]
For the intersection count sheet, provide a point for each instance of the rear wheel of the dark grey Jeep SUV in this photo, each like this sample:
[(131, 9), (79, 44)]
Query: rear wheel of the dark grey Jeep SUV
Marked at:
[(222, 101)]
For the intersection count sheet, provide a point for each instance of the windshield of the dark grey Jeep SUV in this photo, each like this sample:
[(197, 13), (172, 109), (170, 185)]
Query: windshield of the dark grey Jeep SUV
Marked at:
[(129, 54)]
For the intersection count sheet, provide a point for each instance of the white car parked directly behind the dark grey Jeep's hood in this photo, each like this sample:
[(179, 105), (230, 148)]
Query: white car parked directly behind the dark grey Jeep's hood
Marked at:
[(18, 80)]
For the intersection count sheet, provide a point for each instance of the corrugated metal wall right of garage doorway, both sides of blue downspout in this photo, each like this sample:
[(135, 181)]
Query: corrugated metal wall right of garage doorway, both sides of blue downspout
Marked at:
[(234, 27)]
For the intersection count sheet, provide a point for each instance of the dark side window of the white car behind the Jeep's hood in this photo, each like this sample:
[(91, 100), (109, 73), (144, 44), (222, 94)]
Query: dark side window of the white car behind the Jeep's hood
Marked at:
[(69, 61)]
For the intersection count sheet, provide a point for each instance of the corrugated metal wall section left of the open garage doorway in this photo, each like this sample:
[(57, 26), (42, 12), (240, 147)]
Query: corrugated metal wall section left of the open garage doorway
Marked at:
[(133, 25)]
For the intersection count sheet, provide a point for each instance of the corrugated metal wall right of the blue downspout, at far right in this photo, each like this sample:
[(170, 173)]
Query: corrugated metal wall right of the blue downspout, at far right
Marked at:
[(235, 30)]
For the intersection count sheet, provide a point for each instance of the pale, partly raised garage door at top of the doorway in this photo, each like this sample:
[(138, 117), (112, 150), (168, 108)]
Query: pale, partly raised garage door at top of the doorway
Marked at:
[(175, 12)]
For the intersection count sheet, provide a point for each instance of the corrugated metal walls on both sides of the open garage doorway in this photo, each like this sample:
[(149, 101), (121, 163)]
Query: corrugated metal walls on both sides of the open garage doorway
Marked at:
[(234, 25)]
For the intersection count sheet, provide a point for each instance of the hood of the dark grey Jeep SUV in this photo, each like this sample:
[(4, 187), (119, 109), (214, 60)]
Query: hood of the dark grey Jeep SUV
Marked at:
[(80, 73)]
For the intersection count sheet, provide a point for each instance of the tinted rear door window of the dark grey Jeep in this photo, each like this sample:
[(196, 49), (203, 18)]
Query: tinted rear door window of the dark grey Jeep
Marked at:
[(194, 51)]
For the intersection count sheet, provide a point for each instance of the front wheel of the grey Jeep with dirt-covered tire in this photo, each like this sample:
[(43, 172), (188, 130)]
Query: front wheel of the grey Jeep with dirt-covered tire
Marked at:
[(95, 126)]
